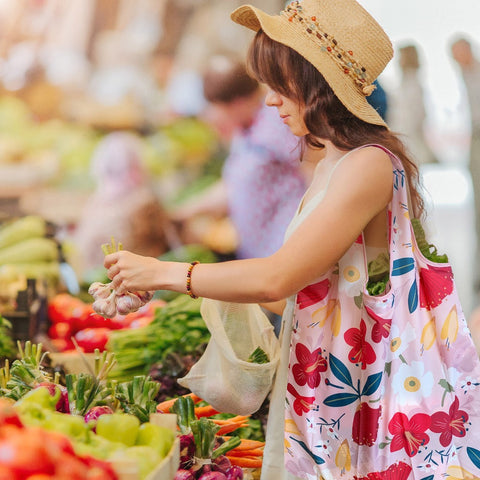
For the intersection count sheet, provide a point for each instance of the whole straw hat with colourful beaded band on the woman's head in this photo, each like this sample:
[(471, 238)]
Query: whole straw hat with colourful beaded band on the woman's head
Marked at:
[(339, 37)]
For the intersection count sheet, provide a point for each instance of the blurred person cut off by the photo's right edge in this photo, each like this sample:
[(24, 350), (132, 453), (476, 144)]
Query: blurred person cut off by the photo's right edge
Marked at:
[(462, 53)]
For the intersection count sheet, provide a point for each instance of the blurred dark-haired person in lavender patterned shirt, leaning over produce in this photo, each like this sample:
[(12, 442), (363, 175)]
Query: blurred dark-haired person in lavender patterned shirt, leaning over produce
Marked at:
[(262, 181)]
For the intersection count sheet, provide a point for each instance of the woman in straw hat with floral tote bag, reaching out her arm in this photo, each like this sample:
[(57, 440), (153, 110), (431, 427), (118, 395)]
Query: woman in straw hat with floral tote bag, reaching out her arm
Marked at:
[(350, 400)]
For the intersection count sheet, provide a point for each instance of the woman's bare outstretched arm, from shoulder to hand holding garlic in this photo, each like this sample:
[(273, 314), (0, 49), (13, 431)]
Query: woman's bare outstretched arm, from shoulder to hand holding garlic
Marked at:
[(359, 190)]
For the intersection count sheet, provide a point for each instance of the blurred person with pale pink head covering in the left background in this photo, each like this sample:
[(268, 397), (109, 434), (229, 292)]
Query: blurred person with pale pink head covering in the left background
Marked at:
[(123, 206)]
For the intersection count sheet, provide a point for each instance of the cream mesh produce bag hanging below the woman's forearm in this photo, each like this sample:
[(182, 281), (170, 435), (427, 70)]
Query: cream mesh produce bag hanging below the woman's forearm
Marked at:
[(223, 376)]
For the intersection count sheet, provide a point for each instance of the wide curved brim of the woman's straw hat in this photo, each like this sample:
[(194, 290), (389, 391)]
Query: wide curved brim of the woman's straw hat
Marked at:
[(278, 28)]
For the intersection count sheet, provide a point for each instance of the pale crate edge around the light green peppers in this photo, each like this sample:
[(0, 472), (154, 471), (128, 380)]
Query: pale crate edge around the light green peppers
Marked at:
[(127, 469)]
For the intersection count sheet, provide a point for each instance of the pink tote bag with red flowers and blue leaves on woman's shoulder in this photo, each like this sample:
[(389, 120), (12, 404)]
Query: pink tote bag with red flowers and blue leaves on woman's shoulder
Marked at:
[(383, 387)]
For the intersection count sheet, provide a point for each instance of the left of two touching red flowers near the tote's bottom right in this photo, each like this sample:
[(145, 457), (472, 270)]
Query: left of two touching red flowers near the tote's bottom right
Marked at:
[(409, 434)]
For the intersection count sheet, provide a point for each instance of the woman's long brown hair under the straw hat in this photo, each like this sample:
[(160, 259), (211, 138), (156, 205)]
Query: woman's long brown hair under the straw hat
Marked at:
[(288, 73)]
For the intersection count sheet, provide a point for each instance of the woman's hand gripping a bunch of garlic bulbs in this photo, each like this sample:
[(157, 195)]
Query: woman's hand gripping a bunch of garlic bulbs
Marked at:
[(131, 272)]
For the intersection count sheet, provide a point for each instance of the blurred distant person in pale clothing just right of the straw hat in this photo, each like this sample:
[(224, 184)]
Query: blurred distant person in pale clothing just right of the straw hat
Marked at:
[(408, 115)]
